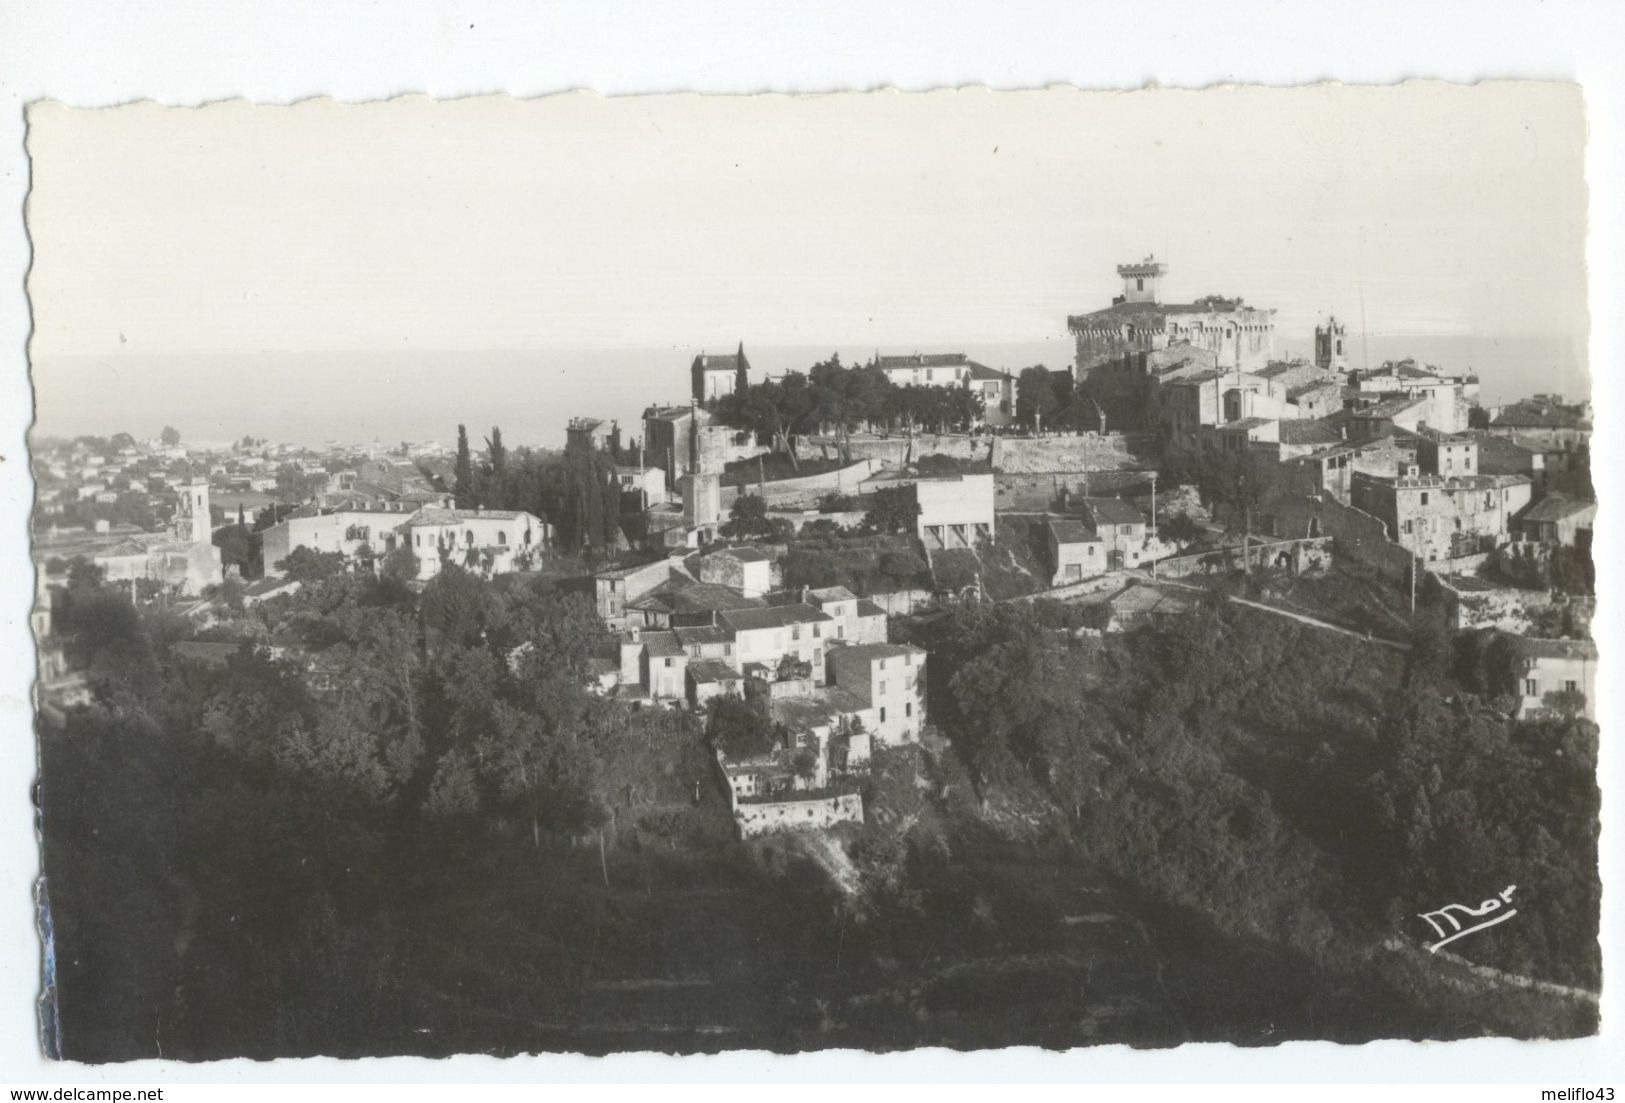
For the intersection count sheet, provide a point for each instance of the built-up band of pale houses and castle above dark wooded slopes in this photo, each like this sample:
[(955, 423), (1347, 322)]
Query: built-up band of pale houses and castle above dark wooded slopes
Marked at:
[(748, 551)]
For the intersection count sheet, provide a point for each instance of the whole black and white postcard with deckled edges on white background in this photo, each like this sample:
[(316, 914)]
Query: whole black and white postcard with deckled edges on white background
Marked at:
[(693, 574)]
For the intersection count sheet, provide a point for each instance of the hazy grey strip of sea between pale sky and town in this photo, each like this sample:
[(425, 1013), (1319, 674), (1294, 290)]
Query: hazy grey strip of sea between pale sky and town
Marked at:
[(391, 397)]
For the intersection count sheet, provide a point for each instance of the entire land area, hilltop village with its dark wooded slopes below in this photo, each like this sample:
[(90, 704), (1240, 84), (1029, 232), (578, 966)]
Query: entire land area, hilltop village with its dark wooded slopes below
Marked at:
[(833, 707)]
